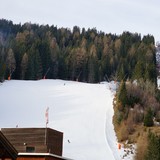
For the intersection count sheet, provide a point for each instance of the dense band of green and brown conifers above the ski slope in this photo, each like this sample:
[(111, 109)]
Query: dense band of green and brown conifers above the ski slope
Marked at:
[(33, 51)]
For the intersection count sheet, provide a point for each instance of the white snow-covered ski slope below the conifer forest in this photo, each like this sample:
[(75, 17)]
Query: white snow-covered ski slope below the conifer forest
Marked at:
[(83, 112)]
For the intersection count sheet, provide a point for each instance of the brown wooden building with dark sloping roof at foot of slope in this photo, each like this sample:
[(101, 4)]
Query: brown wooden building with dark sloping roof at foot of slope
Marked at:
[(31, 144)]
